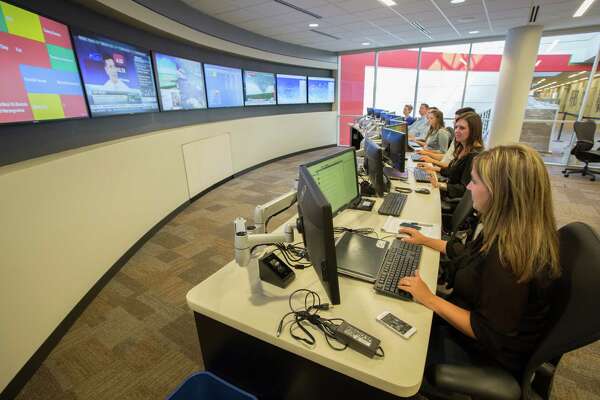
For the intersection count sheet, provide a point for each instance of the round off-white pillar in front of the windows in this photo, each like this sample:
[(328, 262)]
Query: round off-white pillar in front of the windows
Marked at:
[(516, 73)]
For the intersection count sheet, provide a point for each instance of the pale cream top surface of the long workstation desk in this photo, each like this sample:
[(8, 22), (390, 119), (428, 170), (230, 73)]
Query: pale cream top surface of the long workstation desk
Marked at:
[(236, 296)]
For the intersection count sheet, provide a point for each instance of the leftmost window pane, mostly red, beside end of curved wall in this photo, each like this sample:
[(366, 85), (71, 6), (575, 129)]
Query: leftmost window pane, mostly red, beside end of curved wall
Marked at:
[(356, 90)]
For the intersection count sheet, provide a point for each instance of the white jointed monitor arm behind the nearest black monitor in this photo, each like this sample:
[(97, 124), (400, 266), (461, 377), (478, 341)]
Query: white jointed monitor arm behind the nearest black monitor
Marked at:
[(244, 241)]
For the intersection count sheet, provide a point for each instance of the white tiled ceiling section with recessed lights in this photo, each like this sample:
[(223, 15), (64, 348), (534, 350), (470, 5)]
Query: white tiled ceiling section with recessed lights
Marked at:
[(358, 21)]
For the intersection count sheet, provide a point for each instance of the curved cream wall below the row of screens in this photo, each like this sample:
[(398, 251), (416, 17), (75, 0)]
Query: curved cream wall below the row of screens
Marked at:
[(67, 218)]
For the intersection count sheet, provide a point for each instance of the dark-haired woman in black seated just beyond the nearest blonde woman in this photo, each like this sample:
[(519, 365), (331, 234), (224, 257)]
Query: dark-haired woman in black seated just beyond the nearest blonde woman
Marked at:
[(468, 143)]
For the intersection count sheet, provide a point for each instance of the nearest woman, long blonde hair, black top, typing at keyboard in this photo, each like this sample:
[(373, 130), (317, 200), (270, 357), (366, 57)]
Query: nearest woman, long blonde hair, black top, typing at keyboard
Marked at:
[(499, 309)]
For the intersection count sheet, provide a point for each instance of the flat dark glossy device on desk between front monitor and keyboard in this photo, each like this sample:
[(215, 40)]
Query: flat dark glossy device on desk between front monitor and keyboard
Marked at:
[(360, 256)]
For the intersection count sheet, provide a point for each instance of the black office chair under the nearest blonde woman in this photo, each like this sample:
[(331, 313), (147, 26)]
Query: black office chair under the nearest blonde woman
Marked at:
[(574, 325)]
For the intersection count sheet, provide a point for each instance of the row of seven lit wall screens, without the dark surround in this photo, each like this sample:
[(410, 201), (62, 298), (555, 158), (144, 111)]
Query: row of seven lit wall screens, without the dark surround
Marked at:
[(46, 75)]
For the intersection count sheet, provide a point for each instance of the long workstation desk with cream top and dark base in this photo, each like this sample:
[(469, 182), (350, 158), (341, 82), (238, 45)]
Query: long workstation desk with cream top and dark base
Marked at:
[(237, 317)]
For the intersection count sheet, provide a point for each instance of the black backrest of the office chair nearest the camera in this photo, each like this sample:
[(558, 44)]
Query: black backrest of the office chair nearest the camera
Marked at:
[(575, 316)]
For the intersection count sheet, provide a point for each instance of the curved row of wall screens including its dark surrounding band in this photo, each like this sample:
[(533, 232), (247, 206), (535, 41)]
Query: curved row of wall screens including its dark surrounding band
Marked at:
[(67, 86)]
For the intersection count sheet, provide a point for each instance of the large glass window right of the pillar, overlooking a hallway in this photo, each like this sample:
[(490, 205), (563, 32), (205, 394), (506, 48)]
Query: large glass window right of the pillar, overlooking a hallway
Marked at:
[(557, 91)]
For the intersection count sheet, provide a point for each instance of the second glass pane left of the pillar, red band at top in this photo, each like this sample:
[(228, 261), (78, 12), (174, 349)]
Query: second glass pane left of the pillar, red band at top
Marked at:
[(442, 77)]
